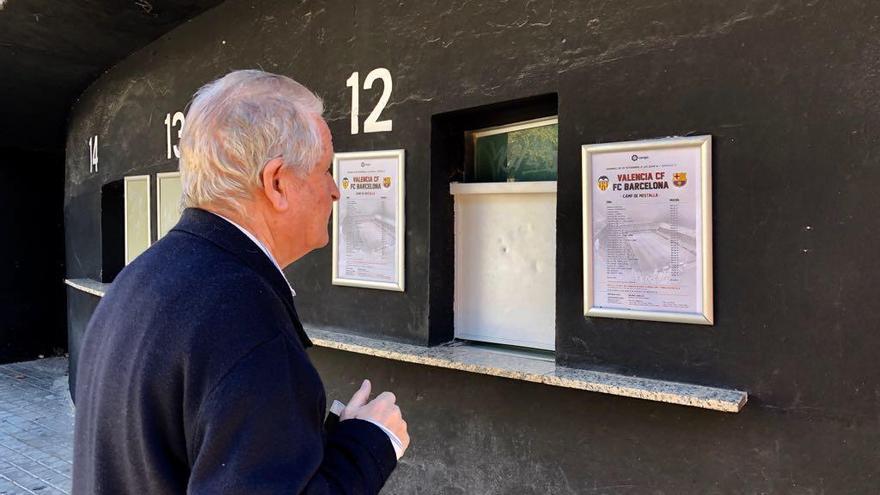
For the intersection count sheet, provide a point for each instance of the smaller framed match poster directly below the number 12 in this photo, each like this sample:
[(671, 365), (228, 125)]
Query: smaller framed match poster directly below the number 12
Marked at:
[(368, 219)]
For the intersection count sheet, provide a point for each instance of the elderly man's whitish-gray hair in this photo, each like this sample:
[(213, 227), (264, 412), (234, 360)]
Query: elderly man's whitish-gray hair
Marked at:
[(239, 122)]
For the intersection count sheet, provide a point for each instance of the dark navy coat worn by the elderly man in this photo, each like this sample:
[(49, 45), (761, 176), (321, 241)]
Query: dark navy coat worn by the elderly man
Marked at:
[(193, 377)]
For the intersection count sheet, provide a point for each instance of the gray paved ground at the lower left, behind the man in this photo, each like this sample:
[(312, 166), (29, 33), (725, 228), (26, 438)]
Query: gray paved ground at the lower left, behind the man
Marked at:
[(36, 428)]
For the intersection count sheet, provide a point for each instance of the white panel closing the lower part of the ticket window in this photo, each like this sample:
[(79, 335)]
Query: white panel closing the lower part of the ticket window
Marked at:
[(505, 263)]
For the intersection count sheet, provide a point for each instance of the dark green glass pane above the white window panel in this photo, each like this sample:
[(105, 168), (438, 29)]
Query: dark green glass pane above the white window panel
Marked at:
[(523, 155)]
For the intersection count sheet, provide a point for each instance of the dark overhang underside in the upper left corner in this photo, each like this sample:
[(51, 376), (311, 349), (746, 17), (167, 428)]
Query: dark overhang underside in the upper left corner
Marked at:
[(50, 51)]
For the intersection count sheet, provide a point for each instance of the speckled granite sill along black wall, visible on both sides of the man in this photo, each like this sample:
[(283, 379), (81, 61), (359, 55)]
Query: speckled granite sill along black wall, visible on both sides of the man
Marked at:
[(476, 359)]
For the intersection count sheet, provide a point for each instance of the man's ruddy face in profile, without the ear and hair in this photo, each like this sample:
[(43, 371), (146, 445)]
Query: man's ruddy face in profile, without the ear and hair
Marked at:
[(316, 193)]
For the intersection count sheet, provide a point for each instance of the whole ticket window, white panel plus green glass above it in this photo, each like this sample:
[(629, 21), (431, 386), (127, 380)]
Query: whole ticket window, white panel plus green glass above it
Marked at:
[(505, 236)]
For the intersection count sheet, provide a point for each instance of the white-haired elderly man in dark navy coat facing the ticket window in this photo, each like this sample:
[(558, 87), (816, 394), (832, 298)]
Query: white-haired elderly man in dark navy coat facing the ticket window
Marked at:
[(193, 374)]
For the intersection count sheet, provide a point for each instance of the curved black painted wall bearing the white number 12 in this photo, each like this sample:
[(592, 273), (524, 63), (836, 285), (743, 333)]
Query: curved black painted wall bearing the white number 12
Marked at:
[(789, 91)]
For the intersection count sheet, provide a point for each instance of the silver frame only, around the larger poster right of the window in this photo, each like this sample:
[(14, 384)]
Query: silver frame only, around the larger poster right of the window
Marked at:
[(704, 144)]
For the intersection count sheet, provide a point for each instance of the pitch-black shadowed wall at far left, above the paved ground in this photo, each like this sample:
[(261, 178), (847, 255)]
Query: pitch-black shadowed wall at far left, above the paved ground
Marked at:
[(31, 254)]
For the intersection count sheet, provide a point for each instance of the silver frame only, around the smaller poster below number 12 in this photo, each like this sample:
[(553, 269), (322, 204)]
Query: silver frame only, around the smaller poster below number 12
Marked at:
[(400, 227)]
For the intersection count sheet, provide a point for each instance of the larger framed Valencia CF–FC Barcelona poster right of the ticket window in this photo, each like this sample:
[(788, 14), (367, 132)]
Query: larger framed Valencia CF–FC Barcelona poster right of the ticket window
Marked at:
[(647, 230)]
